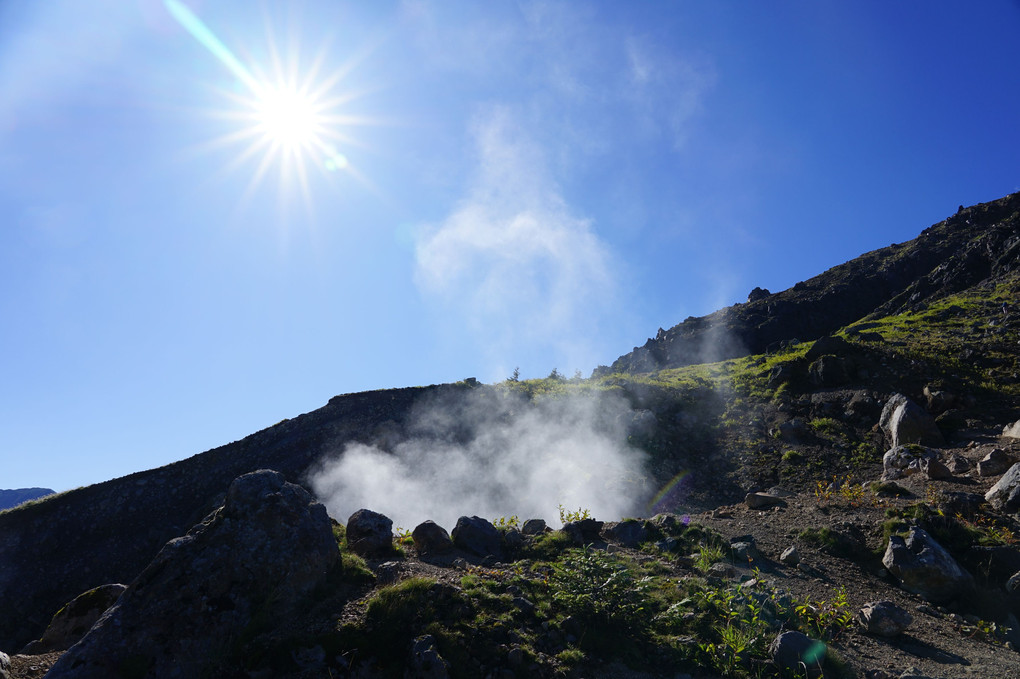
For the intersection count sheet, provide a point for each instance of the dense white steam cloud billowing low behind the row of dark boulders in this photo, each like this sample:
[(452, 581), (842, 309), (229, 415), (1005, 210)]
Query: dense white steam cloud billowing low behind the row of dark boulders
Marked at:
[(494, 454)]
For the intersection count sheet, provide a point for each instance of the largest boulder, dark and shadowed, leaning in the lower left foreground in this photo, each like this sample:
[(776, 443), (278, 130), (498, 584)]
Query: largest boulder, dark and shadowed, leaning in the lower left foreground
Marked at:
[(248, 564)]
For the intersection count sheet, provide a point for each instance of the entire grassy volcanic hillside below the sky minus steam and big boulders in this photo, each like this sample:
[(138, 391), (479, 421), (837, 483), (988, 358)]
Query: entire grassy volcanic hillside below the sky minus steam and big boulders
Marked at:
[(787, 391)]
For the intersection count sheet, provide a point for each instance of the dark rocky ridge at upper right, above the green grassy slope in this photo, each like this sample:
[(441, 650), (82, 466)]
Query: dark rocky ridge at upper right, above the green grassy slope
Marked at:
[(976, 244)]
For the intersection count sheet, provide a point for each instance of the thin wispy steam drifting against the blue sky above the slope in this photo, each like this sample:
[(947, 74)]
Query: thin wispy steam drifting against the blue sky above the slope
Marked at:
[(514, 262)]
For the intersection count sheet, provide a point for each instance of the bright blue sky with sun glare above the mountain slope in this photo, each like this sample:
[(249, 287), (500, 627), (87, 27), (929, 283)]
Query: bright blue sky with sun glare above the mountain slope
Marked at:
[(483, 186)]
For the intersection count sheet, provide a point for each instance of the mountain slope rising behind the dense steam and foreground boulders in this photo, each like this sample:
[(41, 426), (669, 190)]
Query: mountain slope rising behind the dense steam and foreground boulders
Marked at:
[(926, 314)]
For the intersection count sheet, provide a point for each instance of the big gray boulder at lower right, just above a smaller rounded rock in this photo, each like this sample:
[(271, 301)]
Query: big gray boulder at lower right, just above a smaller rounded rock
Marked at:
[(926, 568)]
